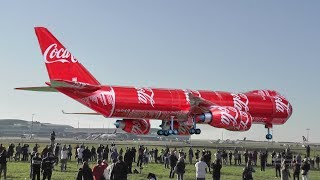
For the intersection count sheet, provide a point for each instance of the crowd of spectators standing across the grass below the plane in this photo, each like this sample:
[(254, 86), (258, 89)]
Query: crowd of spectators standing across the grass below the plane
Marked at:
[(116, 163)]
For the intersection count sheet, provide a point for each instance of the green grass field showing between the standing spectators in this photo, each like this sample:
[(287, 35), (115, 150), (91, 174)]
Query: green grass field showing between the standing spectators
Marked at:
[(20, 170)]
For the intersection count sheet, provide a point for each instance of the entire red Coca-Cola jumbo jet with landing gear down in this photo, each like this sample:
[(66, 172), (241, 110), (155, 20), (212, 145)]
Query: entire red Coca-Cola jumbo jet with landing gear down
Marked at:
[(180, 110)]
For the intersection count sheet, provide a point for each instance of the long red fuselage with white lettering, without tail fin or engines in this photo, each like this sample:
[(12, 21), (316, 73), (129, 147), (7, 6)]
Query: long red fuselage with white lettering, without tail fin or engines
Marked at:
[(265, 106)]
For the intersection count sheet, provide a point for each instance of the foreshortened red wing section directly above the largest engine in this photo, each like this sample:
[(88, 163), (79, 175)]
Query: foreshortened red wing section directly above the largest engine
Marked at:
[(199, 105)]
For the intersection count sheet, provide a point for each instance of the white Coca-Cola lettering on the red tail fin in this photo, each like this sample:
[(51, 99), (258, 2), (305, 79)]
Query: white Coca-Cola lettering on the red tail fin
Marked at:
[(53, 54)]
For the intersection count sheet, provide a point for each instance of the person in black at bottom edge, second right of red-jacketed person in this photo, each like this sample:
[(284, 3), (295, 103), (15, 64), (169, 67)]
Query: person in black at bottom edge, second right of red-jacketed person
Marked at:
[(119, 170)]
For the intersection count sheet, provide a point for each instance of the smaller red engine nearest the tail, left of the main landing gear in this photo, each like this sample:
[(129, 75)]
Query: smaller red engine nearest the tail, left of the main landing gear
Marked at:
[(134, 126)]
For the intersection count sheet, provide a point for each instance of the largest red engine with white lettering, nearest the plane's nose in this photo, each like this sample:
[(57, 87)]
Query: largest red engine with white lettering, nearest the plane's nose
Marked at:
[(228, 118)]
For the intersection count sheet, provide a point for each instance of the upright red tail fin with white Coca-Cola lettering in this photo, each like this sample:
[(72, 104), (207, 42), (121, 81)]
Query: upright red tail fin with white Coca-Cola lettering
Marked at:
[(60, 63)]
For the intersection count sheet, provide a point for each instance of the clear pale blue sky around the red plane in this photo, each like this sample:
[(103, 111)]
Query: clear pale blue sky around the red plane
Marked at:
[(234, 46)]
